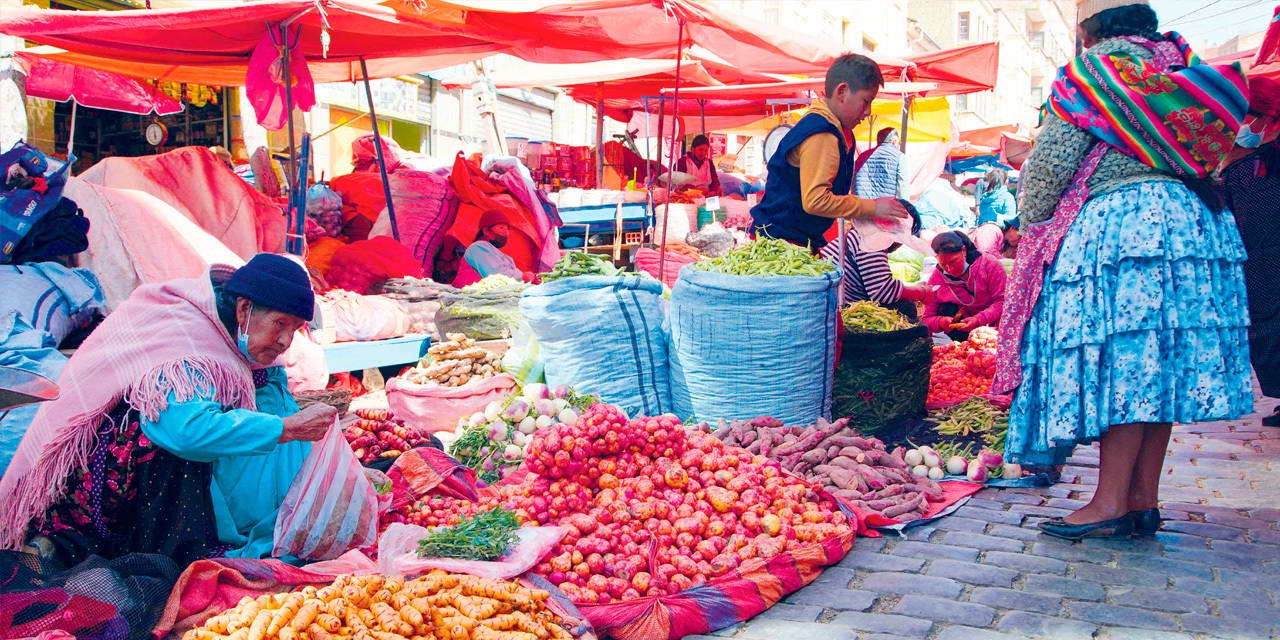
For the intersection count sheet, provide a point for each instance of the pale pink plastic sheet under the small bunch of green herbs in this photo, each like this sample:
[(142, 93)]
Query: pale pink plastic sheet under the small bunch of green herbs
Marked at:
[(397, 554)]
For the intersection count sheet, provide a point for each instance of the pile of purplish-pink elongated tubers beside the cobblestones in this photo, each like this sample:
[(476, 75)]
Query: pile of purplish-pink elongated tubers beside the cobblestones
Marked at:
[(856, 469)]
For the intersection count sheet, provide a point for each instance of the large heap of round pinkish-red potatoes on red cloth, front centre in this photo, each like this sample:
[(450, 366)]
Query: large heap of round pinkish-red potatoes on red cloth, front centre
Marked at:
[(653, 511)]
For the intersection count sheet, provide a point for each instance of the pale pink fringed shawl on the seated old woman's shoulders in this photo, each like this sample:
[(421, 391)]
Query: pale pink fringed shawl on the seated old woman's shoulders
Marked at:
[(164, 340)]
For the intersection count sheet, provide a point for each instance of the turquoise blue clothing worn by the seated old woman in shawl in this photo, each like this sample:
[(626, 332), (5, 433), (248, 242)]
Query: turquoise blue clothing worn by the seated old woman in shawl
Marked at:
[(253, 470)]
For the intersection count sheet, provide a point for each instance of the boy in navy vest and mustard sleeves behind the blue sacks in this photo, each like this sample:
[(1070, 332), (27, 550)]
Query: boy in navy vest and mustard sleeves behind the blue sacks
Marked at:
[(812, 172)]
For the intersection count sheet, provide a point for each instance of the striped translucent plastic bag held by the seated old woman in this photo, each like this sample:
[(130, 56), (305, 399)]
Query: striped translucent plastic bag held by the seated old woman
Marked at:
[(331, 508)]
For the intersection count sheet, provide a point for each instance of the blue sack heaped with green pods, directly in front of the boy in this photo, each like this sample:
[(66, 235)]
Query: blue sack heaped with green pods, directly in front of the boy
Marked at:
[(769, 307)]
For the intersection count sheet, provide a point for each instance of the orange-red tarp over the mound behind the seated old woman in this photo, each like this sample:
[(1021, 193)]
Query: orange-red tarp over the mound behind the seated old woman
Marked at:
[(196, 184)]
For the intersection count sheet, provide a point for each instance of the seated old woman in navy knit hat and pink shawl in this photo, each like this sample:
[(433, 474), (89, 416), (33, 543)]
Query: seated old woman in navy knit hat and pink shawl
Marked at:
[(176, 432)]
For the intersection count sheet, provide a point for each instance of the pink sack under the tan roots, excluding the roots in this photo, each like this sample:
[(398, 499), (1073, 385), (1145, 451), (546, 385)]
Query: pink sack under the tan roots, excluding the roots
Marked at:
[(438, 409)]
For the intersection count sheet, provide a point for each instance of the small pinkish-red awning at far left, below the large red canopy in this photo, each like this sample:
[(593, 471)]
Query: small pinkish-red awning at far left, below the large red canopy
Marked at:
[(92, 88)]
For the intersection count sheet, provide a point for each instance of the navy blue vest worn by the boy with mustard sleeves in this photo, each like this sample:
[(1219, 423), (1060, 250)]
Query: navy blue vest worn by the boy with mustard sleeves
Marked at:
[(781, 214)]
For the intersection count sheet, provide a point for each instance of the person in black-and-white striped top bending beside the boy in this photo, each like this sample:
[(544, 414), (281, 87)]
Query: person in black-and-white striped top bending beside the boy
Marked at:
[(868, 276)]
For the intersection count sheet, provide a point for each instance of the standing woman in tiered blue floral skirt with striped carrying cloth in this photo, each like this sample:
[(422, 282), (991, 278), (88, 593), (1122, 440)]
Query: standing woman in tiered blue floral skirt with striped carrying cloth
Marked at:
[(1127, 308)]
